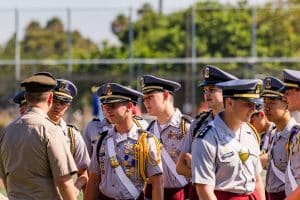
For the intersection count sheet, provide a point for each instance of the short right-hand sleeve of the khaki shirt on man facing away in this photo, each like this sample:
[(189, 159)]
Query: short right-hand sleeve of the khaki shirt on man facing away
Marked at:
[(60, 159)]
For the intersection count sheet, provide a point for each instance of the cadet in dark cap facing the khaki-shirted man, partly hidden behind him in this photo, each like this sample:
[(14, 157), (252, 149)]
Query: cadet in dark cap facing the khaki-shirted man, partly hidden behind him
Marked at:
[(63, 96)]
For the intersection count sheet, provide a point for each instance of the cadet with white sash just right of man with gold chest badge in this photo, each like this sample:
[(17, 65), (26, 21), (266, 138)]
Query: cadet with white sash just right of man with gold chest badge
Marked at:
[(277, 112)]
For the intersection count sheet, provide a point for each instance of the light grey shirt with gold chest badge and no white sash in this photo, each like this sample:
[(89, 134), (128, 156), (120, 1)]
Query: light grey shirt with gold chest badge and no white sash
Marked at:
[(216, 161)]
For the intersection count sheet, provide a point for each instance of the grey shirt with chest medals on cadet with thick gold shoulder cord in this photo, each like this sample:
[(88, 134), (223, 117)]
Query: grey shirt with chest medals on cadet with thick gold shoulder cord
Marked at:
[(110, 184)]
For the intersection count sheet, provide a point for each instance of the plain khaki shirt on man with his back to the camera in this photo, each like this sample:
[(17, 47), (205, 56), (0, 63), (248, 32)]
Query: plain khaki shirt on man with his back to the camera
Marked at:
[(33, 153)]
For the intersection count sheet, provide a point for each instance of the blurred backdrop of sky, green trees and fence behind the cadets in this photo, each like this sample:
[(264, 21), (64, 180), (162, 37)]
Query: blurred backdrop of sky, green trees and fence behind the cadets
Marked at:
[(94, 42)]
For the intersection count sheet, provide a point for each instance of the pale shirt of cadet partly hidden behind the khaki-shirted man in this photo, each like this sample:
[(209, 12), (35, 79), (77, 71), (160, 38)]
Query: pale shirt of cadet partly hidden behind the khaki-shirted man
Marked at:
[(80, 154)]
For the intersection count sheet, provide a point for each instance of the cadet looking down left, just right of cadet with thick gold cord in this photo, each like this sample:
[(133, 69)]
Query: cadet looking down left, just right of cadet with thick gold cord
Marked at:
[(170, 127)]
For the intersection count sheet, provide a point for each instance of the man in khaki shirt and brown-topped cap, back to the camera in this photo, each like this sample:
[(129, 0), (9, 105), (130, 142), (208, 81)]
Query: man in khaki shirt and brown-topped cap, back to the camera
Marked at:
[(35, 159)]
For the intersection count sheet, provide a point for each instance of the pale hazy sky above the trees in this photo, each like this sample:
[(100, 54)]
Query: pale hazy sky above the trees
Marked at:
[(91, 17)]
